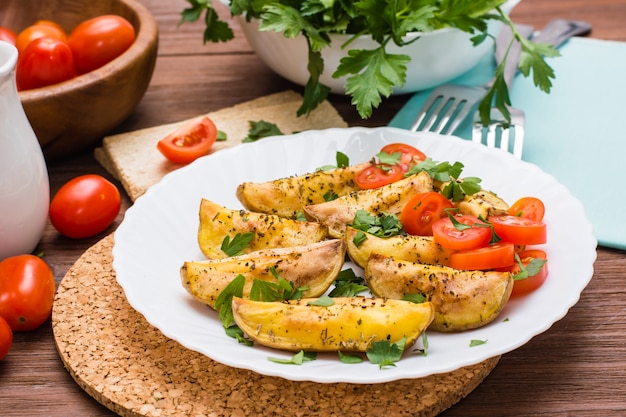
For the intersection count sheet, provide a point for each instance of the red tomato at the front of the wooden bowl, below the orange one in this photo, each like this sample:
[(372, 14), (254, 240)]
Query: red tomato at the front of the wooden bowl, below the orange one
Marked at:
[(45, 61)]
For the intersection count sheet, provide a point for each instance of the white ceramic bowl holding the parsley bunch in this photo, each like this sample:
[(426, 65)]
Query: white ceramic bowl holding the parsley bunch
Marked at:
[(437, 57)]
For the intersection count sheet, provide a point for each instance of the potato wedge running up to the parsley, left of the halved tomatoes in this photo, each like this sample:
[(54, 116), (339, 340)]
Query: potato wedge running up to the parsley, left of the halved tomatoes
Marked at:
[(336, 214)]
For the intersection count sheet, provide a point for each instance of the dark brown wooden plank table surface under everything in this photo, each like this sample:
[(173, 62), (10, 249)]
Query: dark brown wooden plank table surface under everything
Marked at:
[(577, 367)]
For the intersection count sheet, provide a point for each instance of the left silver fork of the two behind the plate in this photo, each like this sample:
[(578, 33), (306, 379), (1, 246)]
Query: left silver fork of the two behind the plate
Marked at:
[(448, 105)]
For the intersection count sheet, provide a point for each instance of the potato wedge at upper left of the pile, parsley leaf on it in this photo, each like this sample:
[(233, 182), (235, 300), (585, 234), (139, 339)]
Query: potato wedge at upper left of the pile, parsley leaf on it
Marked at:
[(270, 231)]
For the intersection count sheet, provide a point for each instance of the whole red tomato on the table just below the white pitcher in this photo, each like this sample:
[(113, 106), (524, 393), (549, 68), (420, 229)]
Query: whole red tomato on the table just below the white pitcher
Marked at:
[(26, 291)]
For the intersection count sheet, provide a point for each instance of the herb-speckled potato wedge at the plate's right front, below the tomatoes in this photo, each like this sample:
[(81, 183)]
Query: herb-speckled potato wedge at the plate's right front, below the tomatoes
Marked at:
[(462, 300)]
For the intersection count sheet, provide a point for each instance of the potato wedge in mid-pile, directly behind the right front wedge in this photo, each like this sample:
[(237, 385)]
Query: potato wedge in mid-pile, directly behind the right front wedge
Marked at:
[(421, 249)]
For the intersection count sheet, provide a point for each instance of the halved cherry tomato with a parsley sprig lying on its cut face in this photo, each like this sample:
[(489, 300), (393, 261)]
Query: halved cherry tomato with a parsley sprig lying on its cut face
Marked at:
[(450, 236)]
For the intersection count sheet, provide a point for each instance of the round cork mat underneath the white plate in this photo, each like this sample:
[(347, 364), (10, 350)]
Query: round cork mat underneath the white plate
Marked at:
[(131, 368)]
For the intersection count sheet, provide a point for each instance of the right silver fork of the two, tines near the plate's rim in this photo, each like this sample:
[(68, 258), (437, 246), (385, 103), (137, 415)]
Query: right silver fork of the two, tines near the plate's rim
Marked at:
[(509, 135)]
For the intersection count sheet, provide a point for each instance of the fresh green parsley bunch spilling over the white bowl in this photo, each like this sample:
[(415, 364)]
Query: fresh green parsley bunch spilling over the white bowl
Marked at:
[(373, 74)]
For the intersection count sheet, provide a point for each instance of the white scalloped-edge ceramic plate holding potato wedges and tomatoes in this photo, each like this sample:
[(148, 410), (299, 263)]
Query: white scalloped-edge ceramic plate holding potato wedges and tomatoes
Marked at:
[(159, 233)]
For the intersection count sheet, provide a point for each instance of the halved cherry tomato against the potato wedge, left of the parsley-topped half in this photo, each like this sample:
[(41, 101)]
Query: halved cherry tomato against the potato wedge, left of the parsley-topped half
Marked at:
[(422, 211)]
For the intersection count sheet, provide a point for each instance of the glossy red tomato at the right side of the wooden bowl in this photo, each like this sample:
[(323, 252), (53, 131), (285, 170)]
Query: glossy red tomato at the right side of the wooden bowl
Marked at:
[(100, 40)]
